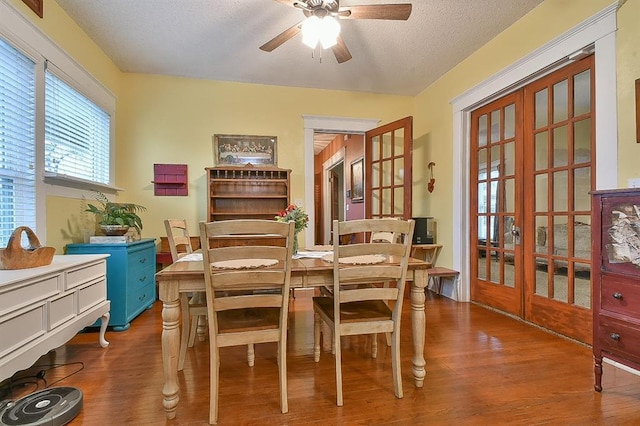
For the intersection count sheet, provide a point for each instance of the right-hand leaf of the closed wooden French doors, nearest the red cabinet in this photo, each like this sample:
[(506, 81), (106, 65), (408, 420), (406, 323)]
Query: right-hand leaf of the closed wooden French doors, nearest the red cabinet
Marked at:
[(560, 113)]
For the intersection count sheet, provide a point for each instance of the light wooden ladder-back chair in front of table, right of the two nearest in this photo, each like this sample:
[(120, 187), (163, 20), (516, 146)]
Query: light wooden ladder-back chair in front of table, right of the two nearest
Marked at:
[(357, 306)]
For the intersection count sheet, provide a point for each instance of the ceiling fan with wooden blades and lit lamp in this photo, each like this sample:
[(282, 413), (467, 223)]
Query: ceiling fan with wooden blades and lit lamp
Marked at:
[(319, 9)]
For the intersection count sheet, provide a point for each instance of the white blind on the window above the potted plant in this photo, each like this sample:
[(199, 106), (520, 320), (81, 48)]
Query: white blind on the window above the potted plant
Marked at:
[(77, 143)]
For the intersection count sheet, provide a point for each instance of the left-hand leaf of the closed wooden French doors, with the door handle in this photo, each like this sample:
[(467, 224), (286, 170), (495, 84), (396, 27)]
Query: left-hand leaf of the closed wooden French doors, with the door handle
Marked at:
[(496, 165)]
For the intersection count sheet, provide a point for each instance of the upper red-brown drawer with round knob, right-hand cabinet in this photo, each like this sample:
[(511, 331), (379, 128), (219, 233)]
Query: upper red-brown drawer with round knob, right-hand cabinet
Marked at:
[(621, 295)]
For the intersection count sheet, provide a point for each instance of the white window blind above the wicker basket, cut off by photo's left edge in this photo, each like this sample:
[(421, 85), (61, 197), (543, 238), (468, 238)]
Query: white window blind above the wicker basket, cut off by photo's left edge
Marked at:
[(17, 141)]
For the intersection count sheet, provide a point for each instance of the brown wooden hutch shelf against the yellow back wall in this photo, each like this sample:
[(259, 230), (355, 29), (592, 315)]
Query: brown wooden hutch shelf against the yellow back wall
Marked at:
[(246, 192)]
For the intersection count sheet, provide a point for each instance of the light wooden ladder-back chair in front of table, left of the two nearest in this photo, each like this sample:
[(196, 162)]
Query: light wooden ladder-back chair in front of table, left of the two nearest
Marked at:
[(242, 306)]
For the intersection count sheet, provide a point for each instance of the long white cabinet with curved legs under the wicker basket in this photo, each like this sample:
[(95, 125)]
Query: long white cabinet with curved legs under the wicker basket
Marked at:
[(43, 308)]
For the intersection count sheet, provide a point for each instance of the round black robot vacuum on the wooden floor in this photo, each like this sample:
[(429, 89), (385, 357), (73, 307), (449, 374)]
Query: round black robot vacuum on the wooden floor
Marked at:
[(52, 407)]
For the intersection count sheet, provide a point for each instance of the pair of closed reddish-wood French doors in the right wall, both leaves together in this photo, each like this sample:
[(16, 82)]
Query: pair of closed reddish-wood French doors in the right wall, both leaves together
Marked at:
[(532, 157)]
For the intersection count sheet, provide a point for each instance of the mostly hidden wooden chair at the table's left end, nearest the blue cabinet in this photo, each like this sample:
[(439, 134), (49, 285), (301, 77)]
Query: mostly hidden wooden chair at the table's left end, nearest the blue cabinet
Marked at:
[(194, 308)]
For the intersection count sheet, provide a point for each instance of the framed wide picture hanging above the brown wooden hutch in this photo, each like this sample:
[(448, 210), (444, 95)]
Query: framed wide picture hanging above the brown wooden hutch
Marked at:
[(238, 150)]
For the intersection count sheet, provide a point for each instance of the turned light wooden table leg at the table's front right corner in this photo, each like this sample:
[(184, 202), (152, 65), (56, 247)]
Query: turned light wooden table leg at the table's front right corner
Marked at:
[(418, 325)]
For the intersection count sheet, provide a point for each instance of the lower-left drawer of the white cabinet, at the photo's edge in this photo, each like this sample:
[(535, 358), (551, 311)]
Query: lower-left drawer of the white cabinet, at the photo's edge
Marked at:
[(21, 328)]
